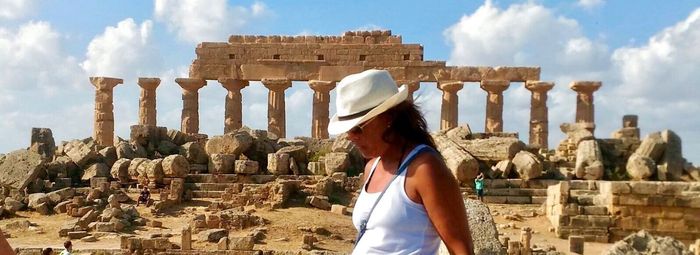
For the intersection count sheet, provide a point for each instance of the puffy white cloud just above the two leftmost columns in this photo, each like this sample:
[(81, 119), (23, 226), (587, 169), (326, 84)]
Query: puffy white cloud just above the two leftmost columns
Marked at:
[(124, 51)]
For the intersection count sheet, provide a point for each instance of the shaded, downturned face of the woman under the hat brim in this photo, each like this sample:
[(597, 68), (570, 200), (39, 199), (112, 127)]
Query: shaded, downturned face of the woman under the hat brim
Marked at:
[(368, 137)]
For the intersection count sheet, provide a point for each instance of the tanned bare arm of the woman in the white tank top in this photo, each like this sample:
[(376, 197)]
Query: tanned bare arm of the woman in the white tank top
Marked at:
[(439, 192)]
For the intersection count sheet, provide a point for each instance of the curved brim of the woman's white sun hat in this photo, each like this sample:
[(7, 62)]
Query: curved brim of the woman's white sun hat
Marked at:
[(336, 126)]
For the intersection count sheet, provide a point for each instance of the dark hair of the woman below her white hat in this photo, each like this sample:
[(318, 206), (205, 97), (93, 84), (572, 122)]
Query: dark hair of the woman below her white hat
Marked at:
[(408, 126)]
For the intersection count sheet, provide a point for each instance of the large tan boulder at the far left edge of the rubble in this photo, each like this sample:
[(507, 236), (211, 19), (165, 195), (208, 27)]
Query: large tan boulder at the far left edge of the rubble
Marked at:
[(19, 168)]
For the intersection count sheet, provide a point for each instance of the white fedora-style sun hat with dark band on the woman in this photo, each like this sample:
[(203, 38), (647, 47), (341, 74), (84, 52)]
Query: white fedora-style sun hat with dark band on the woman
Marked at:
[(361, 96)]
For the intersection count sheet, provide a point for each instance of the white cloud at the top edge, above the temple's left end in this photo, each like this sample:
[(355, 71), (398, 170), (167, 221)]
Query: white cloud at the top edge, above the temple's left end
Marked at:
[(197, 21)]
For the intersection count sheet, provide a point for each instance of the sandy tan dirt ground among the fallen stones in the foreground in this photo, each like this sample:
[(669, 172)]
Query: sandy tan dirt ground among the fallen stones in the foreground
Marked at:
[(284, 232)]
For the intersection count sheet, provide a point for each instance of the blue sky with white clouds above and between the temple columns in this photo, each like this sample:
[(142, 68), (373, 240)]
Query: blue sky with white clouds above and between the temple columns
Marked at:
[(646, 54)]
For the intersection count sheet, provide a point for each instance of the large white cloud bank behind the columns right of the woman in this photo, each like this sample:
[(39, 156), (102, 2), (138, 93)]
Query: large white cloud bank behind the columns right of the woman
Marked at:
[(655, 81)]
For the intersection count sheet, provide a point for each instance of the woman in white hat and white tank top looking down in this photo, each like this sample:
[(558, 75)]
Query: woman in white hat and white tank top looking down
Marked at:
[(400, 210)]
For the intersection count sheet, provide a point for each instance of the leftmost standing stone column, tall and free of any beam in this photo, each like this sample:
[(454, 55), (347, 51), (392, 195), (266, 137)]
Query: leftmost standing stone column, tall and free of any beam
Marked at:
[(103, 132)]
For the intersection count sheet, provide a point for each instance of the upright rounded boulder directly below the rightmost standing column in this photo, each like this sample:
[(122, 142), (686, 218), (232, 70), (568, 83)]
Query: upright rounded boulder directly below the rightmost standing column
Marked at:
[(589, 161)]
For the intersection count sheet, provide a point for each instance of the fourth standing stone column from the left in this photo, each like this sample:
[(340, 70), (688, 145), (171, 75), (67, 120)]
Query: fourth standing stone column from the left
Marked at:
[(233, 115)]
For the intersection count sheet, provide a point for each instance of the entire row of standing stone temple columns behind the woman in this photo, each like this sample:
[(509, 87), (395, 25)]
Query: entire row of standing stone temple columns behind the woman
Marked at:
[(104, 116)]
